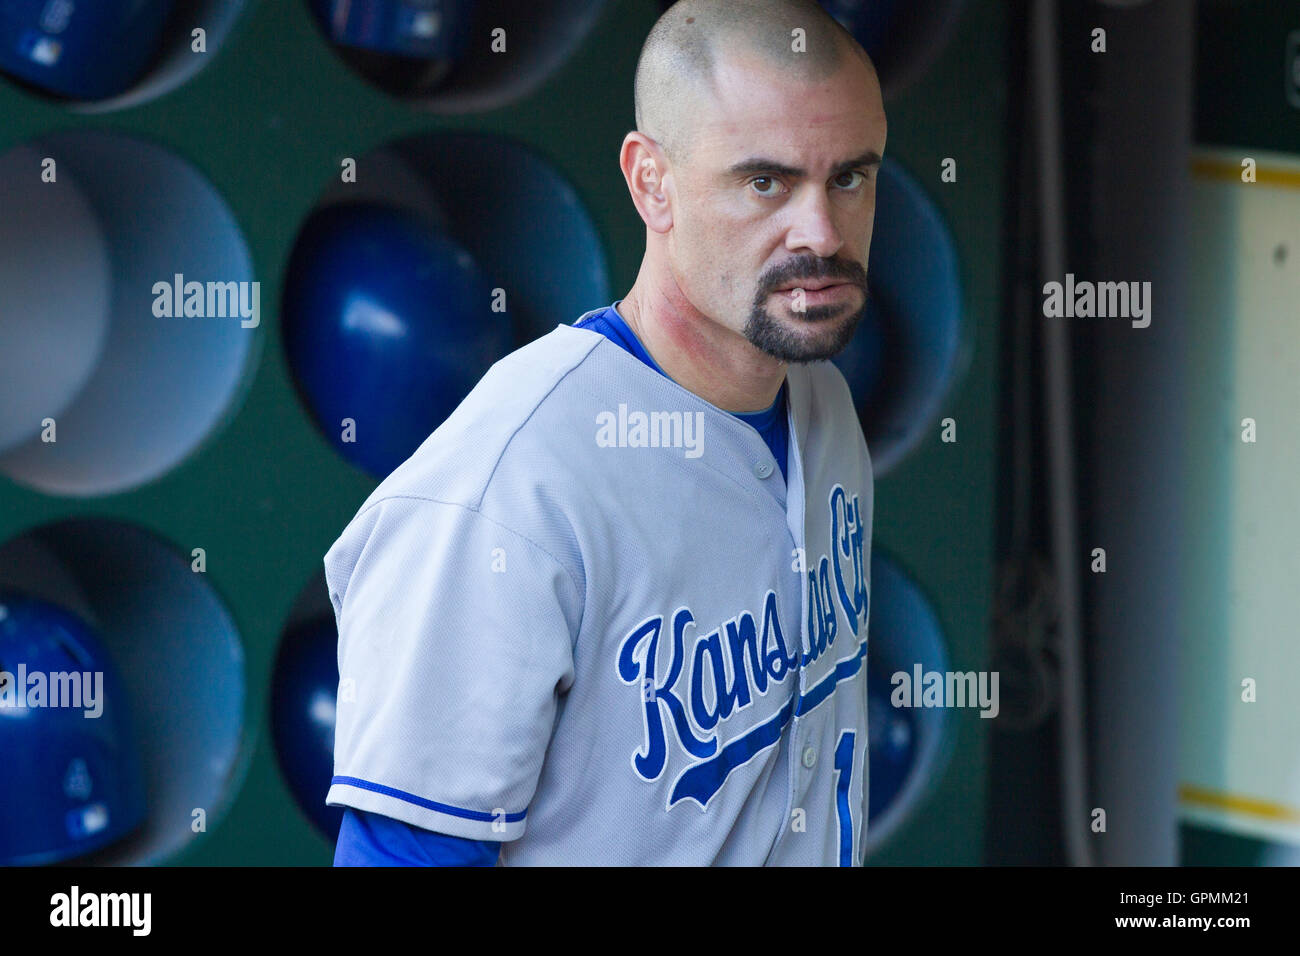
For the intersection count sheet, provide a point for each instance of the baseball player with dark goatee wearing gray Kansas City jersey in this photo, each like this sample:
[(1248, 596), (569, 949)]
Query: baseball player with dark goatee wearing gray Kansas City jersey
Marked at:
[(614, 611)]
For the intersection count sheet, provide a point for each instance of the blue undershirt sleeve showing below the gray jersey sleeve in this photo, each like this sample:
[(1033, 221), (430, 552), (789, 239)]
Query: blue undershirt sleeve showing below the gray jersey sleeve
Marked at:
[(369, 840)]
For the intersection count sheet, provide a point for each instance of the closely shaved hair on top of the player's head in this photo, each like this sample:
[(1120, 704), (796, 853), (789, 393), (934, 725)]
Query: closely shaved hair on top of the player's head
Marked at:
[(681, 58)]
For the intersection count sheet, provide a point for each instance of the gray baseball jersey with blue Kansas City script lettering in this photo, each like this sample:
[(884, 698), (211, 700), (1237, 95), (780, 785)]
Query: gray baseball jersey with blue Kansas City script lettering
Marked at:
[(588, 618)]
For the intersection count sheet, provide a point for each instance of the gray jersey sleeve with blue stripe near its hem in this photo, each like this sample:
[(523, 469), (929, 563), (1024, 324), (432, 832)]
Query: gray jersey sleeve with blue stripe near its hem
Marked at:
[(456, 644)]
